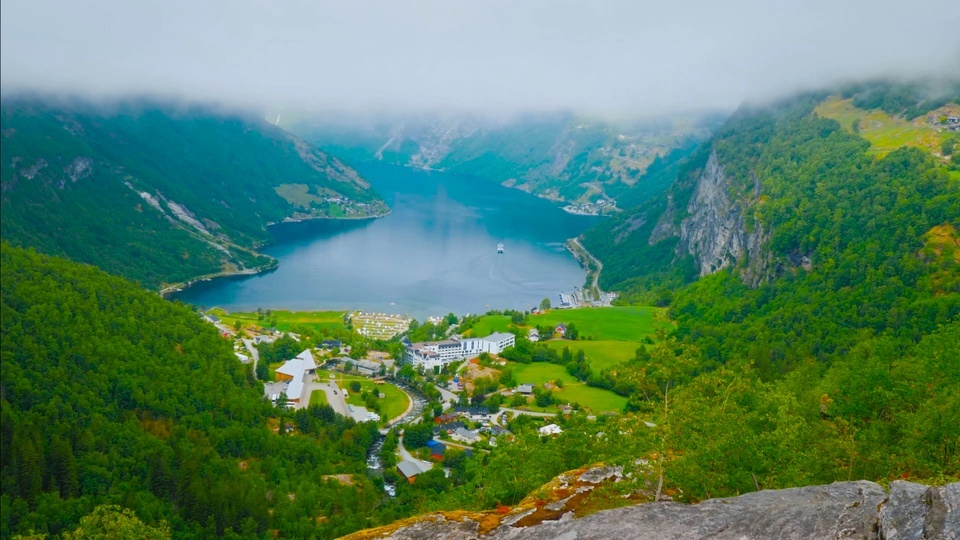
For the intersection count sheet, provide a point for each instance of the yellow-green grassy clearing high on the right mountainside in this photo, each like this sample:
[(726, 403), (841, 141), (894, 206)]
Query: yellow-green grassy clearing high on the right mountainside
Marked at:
[(885, 133)]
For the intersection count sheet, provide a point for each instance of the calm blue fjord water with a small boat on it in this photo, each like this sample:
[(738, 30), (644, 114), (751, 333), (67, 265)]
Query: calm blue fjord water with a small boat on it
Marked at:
[(436, 253)]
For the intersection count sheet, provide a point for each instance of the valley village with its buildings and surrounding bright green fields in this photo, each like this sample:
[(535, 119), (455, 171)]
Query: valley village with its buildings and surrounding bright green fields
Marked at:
[(457, 391)]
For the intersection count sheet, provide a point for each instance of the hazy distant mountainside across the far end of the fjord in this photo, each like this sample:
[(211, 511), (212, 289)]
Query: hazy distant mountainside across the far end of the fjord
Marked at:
[(558, 156)]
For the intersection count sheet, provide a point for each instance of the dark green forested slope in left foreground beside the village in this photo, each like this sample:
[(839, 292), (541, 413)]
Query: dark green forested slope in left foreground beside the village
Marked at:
[(110, 394)]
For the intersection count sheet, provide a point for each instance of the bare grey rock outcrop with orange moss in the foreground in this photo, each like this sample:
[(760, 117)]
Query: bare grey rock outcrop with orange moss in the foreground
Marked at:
[(842, 510)]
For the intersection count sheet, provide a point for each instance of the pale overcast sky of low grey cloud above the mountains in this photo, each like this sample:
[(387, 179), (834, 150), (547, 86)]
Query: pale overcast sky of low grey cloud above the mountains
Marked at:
[(491, 55)]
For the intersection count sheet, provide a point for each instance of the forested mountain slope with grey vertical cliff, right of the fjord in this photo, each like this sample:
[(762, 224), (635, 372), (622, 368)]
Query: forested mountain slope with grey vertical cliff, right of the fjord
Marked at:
[(788, 212)]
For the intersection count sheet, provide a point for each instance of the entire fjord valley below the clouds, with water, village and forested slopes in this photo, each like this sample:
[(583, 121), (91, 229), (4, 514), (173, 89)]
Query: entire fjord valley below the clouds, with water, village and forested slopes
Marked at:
[(786, 315)]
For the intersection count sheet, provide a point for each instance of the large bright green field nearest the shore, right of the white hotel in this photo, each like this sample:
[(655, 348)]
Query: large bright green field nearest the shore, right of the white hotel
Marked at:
[(618, 323)]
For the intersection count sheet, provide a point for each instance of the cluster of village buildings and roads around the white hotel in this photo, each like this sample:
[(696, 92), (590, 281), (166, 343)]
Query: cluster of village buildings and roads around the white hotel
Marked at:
[(377, 388)]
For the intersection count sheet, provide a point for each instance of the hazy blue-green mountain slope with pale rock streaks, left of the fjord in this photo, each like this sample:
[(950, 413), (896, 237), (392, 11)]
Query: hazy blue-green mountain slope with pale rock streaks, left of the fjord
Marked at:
[(160, 194)]
